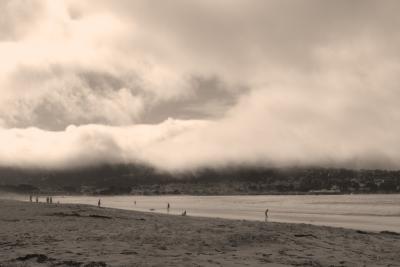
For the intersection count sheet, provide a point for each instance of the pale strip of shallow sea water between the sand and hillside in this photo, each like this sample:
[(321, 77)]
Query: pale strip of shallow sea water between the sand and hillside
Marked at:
[(366, 212)]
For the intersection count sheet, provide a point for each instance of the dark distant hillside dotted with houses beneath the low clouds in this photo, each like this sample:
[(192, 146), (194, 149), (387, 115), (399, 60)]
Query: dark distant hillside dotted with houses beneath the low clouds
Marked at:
[(140, 179)]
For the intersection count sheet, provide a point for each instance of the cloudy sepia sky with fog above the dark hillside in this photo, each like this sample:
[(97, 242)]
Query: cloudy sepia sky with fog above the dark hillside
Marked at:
[(181, 85)]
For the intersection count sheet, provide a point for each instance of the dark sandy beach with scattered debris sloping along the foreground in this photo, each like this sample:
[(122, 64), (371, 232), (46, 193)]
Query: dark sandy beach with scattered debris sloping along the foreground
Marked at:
[(77, 235)]
